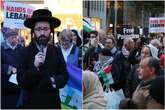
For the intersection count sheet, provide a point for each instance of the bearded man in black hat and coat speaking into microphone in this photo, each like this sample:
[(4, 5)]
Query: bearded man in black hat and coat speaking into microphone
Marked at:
[(44, 71)]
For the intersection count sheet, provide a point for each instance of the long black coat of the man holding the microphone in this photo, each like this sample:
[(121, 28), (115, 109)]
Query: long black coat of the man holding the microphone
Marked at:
[(37, 83)]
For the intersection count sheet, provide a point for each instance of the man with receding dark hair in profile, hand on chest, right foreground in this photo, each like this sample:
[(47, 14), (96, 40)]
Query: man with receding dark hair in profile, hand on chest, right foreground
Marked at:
[(147, 71)]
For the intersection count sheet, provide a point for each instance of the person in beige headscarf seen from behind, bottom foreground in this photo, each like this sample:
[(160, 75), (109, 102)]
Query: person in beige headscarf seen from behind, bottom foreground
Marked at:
[(93, 95)]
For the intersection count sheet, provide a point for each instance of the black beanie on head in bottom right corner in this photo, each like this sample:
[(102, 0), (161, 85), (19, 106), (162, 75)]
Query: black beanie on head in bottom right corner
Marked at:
[(156, 90)]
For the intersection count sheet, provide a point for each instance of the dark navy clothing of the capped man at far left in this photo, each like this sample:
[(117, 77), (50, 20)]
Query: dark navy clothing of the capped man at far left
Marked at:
[(9, 91)]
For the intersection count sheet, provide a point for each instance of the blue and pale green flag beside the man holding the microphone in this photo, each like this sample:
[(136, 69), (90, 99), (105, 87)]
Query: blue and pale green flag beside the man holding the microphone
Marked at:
[(71, 94)]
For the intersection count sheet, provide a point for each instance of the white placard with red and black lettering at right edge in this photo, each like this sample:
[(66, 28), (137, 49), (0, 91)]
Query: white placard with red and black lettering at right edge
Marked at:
[(157, 25)]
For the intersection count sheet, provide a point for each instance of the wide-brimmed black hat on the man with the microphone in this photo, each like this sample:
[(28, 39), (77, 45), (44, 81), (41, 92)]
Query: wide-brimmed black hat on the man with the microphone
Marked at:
[(42, 15)]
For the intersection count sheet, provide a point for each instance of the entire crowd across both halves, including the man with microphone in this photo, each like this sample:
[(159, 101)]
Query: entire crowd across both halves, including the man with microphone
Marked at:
[(135, 66)]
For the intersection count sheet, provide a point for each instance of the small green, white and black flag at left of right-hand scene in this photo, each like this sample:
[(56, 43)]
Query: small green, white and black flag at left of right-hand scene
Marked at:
[(87, 25)]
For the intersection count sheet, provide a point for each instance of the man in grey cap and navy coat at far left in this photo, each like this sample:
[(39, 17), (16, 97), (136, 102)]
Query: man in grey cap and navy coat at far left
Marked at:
[(11, 60)]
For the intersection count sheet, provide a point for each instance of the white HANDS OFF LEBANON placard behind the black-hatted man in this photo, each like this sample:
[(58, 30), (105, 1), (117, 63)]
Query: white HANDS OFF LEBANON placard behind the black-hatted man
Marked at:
[(16, 13)]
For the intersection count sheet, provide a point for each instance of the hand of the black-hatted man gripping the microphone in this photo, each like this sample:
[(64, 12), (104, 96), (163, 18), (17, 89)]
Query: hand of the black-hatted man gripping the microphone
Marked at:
[(39, 59)]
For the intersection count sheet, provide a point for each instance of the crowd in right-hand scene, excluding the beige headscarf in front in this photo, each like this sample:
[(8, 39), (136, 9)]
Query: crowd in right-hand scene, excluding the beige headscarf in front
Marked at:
[(136, 64)]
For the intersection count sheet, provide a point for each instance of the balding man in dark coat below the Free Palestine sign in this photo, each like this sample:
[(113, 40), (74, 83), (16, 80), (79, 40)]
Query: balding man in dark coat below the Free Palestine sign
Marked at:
[(121, 66)]
